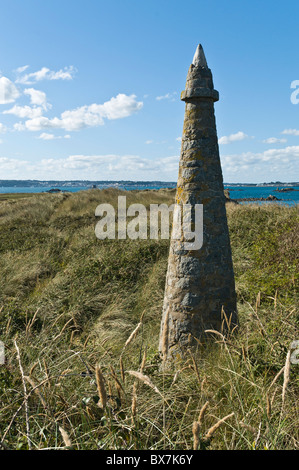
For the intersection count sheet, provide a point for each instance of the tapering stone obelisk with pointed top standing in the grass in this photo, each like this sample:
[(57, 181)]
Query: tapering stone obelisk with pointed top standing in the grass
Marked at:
[(200, 283)]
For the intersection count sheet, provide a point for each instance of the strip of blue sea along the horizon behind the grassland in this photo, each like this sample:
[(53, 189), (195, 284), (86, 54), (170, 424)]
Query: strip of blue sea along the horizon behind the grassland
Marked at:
[(238, 192)]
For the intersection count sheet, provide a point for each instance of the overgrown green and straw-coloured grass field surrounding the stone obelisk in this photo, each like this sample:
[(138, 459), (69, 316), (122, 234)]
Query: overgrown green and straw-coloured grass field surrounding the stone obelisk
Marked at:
[(76, 377)]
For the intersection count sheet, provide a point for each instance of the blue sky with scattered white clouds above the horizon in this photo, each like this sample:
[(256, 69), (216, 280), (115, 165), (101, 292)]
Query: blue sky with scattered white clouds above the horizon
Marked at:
[(91, 89)]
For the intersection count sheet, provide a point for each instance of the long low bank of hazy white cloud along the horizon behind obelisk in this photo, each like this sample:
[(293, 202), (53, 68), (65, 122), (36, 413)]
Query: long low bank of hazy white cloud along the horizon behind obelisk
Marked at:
[(272, 164)]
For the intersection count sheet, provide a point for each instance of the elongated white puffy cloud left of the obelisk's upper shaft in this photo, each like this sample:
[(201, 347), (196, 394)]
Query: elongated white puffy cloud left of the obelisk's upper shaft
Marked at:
[(88, 116)]
